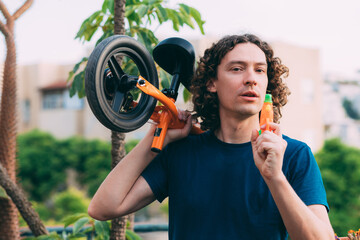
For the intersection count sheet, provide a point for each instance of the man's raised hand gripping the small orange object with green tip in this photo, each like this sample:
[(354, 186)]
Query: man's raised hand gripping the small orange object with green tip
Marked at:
[(268, 151)]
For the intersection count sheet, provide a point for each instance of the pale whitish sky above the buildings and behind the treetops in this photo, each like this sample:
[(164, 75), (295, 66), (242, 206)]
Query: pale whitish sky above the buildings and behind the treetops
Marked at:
[(46, 32)]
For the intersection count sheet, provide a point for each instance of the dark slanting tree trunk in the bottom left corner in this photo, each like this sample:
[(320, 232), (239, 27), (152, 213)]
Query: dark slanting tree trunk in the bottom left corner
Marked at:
[(23, 205)]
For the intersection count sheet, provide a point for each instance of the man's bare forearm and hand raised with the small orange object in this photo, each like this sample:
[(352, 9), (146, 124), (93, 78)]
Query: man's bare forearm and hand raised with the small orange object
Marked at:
[(301, 221)]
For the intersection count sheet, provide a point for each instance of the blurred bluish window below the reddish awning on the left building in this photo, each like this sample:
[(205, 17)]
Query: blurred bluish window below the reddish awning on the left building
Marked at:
[(60, 99)]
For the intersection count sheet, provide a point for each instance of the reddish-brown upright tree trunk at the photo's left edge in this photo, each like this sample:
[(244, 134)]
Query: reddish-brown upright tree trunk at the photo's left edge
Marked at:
[(9, 223)]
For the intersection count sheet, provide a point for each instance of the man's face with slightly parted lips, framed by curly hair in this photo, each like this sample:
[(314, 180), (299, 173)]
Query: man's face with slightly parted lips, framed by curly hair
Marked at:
[(241, 81)]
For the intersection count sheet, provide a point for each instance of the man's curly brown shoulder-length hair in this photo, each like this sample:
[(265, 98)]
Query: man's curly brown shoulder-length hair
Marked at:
[(206, 103)]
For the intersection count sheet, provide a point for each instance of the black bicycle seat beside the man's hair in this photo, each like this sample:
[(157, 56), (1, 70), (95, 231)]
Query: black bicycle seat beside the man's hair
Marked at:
[(176, 56)]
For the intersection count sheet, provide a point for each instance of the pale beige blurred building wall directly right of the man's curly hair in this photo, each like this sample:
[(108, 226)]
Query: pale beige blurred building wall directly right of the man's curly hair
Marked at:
[(303, 114)]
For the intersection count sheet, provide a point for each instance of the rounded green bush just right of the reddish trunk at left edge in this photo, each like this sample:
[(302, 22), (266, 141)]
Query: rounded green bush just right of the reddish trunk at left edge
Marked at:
[(40, 165)]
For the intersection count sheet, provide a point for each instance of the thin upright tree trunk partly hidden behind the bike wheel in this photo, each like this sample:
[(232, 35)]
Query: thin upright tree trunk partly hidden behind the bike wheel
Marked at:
[(118, 225)]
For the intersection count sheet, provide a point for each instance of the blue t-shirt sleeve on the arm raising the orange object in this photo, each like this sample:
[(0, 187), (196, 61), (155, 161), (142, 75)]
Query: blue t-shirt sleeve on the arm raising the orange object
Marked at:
[(305, 178)]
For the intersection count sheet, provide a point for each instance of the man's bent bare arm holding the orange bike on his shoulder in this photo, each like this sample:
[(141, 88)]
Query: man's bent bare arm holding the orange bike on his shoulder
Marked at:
[(124, 190)]
